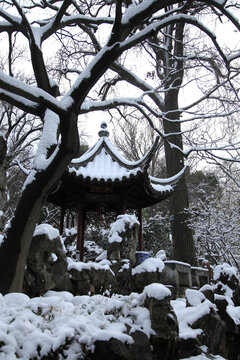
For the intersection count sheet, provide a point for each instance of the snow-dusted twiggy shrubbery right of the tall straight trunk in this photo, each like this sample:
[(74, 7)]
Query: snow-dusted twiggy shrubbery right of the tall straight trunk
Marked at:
[(215, 218)]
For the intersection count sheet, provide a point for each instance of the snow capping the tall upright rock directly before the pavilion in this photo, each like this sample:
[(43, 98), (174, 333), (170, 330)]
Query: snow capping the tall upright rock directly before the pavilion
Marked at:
[(119, 226)]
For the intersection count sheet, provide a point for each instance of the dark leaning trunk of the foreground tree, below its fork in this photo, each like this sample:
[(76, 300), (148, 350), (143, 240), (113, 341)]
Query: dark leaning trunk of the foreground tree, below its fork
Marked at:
[(14, 250)]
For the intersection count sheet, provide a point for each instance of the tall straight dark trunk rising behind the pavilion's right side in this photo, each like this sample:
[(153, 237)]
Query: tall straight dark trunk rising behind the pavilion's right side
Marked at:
[(170, 66)]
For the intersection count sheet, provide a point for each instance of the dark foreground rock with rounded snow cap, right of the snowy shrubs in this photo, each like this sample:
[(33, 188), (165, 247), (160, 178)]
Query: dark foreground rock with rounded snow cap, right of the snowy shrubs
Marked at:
[(162, 344)]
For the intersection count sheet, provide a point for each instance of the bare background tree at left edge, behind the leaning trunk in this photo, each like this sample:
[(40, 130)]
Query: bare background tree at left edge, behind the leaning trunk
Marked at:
[(20, 131)]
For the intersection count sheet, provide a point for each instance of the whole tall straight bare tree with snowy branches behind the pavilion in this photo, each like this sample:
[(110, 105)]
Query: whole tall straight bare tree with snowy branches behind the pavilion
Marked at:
[(174, 65)]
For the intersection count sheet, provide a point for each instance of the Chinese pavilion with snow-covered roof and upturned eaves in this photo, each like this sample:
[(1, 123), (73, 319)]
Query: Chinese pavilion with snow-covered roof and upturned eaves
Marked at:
[(102, 180)]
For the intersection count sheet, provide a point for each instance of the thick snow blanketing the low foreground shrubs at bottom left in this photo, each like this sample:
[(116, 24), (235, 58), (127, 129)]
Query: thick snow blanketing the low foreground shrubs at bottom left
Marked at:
[(32, 328)]
